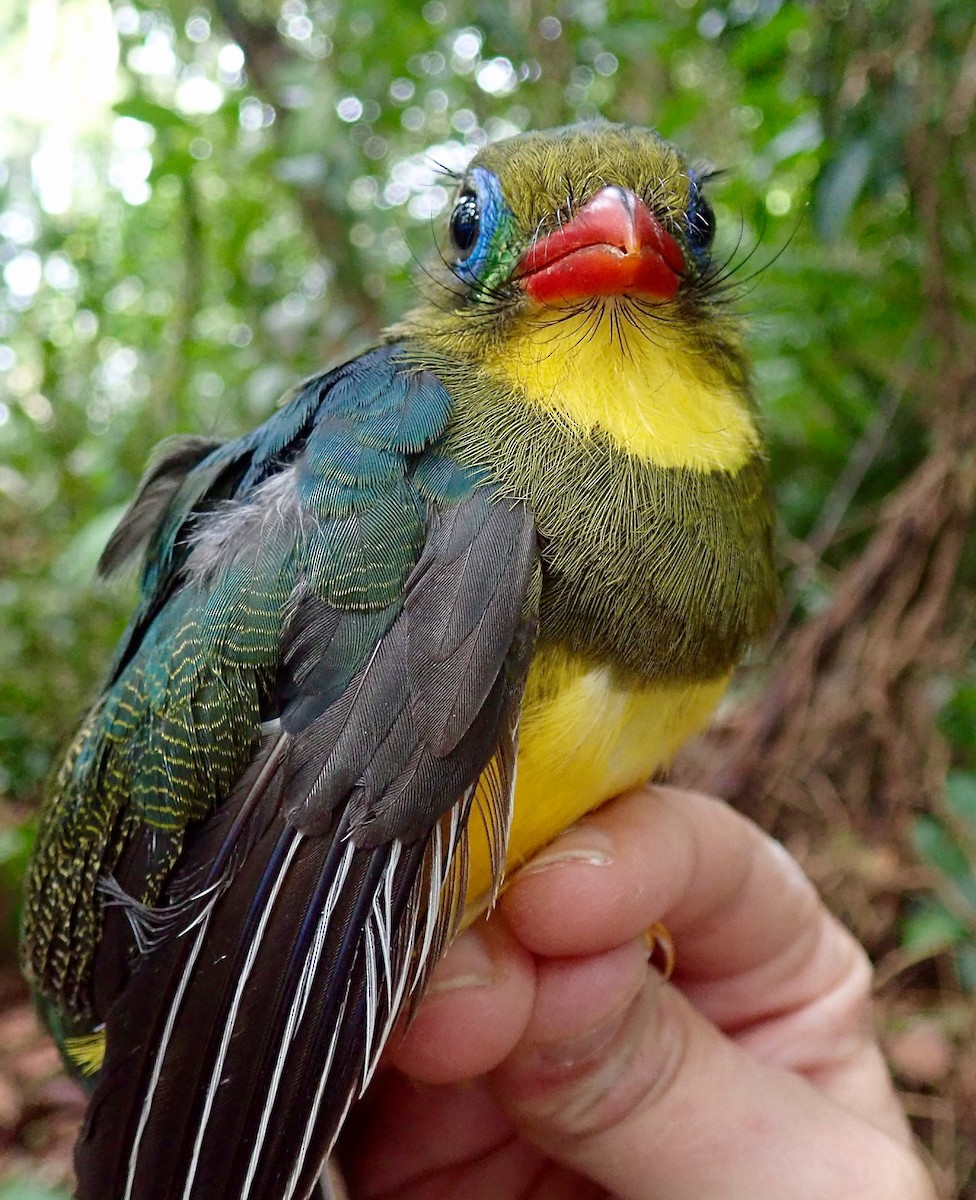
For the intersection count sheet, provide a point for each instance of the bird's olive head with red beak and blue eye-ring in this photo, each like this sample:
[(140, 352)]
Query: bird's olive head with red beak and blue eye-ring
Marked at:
[(576, 227)]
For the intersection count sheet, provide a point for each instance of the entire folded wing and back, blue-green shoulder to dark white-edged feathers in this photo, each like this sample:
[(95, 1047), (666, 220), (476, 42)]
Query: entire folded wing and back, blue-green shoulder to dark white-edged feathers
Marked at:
[(258, 844)]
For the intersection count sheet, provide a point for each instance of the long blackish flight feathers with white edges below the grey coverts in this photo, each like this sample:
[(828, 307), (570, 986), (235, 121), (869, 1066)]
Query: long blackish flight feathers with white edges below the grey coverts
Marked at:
[(241, 1047)]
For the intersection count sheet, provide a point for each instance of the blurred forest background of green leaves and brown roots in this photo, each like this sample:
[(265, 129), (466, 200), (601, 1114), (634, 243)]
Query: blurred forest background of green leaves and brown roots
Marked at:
[(202, 203)]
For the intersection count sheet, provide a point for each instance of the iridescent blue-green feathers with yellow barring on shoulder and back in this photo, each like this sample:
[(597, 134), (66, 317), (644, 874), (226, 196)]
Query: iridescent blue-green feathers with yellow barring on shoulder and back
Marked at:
[(313, 503)]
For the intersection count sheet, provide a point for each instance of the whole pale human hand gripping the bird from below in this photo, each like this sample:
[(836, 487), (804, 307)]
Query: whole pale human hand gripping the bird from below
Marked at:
[(552, 1063)]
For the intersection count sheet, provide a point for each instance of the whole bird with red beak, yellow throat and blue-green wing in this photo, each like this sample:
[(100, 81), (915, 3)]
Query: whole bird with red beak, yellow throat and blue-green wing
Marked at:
[(451, 597)]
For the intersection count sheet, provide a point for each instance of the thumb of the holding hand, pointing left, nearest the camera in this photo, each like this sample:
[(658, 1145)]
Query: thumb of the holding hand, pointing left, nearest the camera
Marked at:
[(654, 1102)]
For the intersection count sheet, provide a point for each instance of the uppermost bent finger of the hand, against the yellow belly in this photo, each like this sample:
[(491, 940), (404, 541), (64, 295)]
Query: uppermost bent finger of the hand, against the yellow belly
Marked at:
[(757, 951)]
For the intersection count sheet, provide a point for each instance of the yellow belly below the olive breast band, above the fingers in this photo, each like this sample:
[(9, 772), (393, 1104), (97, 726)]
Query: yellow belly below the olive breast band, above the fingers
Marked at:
[(584, 740)]
